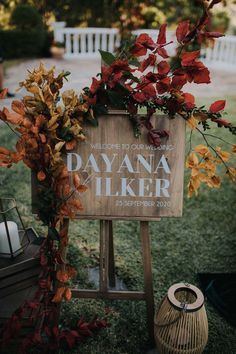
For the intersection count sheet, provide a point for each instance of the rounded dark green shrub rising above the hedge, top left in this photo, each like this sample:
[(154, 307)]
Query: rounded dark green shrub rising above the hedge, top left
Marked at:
[(26, 17)]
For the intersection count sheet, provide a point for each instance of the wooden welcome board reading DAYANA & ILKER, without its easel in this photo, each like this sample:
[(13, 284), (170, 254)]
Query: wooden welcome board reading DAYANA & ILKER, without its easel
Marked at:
[(128, 178)]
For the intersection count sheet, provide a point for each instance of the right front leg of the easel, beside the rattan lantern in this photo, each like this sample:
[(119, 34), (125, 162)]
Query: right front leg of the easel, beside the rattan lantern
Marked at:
[(148, 285)]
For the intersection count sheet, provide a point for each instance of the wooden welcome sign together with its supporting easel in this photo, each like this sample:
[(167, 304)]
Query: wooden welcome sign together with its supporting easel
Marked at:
[(128, 179)]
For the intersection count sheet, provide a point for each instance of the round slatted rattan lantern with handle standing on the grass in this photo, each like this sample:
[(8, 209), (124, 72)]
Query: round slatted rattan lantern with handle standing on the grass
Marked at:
[(181, 324)]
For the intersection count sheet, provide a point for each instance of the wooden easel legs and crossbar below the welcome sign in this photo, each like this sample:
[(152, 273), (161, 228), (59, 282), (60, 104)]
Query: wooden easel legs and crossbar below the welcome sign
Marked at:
[(107, 272)]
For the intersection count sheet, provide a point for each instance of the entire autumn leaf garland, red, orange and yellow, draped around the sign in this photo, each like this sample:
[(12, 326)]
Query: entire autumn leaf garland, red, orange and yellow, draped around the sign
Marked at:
[(46, 129)]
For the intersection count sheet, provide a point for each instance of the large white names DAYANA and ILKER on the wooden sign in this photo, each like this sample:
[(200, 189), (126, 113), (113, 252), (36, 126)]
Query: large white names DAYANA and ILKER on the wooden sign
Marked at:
[(124, 186)]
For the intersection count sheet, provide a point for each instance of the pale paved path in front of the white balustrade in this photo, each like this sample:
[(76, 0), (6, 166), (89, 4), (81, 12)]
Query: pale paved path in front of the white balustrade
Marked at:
[(82, 70)]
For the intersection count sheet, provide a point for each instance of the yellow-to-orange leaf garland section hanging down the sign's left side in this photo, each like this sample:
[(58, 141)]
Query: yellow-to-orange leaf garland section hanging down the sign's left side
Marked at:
[(45, 129)]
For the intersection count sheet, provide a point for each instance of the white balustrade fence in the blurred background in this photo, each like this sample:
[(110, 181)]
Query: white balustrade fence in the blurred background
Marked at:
[(85, 43)]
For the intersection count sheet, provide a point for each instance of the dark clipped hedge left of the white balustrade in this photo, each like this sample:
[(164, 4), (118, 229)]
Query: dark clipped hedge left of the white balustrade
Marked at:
[(24, 44)]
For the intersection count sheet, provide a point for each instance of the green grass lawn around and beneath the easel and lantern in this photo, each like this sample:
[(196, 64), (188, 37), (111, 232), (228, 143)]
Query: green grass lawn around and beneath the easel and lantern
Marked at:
[(203, 240)]
